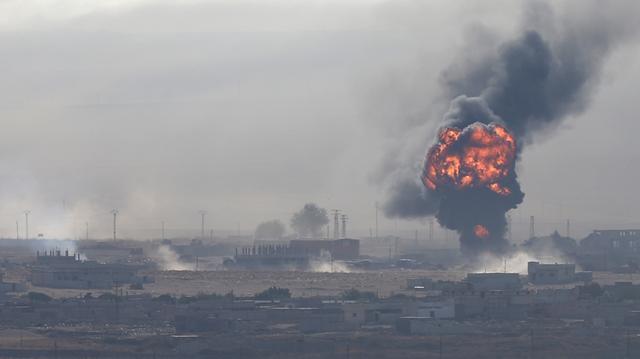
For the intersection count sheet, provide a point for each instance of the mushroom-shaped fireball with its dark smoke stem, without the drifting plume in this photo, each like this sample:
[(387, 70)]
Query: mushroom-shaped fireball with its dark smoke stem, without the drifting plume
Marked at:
[(473, 170)]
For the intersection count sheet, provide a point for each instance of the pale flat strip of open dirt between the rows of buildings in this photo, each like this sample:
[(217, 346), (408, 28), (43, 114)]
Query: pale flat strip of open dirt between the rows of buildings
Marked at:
[(302, 284)]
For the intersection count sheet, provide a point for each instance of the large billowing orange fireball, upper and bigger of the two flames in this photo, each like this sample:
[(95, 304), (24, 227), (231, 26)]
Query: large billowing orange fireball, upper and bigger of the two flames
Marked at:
[(483, 160)]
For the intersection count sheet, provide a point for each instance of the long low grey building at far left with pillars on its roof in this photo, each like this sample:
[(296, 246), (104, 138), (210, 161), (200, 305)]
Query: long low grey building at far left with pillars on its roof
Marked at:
[(55, 270)]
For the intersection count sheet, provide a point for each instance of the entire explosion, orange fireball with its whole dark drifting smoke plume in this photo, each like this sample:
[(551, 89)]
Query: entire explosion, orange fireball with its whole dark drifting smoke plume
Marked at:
[(498, 103)]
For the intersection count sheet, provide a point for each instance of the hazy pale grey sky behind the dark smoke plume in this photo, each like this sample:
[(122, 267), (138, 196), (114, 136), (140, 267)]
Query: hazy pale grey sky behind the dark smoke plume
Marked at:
[(249, 109)]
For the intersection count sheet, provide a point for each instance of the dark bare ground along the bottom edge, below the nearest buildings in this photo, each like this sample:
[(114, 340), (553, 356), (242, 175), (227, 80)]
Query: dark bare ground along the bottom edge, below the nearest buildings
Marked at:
[(608, 343)]
